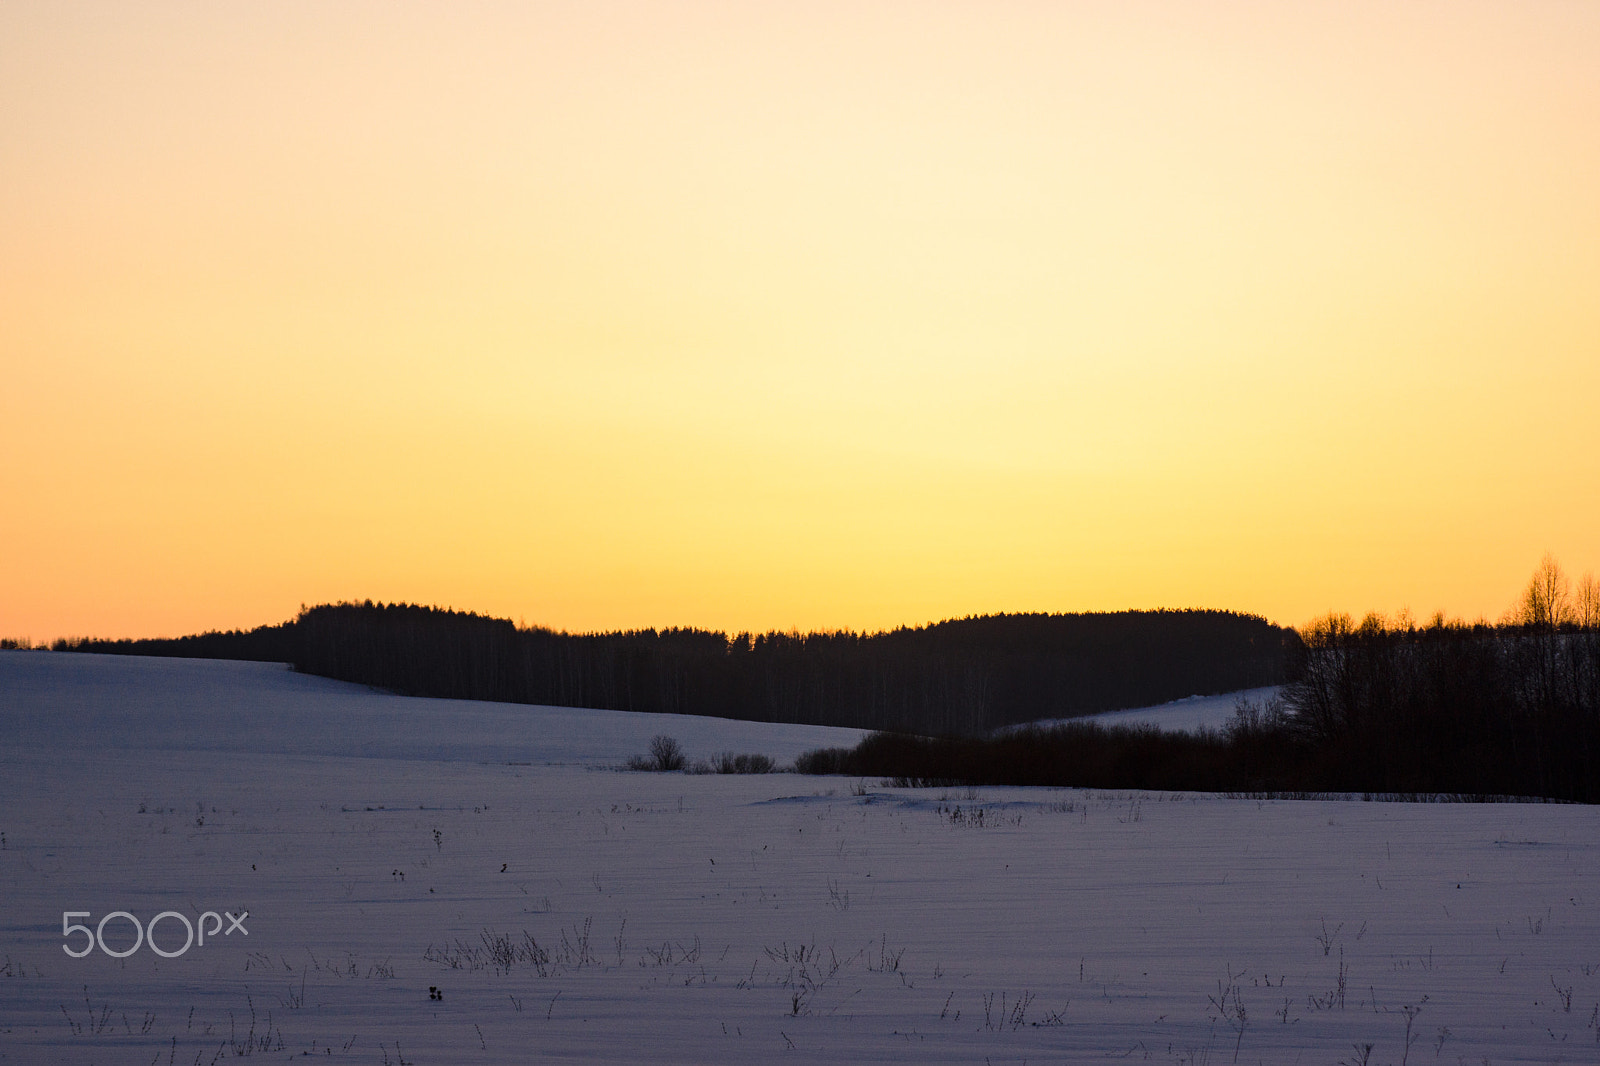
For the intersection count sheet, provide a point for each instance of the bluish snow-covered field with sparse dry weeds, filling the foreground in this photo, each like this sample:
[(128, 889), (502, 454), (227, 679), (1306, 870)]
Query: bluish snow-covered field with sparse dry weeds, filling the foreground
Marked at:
[(564, 912)]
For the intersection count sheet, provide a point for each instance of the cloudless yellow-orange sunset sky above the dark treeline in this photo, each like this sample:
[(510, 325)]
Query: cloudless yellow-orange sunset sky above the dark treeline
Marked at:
[(815, 316)]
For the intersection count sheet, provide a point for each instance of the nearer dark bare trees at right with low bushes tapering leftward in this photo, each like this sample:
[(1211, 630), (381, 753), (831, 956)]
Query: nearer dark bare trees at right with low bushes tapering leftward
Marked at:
[(1375, 708)]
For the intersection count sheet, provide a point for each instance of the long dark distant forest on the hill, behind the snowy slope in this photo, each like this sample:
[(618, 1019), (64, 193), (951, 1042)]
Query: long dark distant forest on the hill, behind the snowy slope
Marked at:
[(953, 678)]
